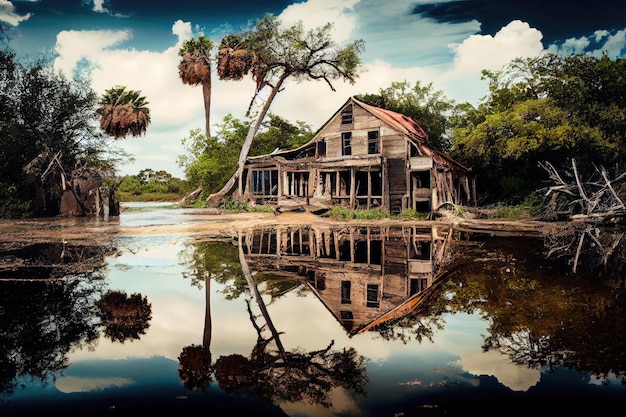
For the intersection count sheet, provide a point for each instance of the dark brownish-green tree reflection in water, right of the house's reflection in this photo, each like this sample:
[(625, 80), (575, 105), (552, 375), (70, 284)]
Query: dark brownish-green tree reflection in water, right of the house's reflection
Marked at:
[(545, 317)]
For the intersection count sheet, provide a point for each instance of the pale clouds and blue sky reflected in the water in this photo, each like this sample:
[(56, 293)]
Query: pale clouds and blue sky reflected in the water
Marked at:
[(401, 376)]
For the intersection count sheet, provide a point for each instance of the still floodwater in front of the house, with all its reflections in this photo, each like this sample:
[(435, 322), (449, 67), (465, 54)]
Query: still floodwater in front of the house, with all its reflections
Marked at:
[(380, 322)]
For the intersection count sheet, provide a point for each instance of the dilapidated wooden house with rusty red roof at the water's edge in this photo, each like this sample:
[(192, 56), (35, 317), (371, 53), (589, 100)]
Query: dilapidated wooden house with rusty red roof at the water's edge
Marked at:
[(364, 157)]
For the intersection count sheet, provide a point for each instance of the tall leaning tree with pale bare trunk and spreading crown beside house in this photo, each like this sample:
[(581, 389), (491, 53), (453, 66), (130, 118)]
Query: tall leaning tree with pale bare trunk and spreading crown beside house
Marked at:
[(272, 53)]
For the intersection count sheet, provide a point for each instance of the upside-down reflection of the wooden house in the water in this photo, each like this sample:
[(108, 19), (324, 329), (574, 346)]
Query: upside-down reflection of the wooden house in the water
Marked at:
[(362, 273)]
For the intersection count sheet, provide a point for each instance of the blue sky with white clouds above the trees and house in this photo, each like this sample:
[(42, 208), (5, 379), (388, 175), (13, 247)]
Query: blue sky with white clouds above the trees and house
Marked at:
[(446, 43)]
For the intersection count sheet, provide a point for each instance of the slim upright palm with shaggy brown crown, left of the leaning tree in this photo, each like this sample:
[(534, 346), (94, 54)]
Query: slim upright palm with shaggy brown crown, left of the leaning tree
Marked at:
[(195, 68)]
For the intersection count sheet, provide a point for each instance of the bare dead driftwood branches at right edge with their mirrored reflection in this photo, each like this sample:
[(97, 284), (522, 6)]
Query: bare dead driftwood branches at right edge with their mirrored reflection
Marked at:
[(595, 205)]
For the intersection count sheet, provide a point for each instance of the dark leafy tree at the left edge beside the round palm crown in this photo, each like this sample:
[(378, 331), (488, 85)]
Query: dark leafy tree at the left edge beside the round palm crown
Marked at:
[(44, 117)]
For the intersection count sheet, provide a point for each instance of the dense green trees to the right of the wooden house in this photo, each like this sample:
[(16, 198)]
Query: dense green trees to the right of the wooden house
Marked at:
[(548, 108)]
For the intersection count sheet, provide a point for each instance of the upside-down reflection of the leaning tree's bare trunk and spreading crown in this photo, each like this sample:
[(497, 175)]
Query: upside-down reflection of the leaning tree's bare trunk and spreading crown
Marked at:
[(278, 375)]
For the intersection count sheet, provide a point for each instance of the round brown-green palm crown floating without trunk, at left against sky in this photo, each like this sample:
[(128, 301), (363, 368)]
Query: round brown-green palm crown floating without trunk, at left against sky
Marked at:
[(123, 112)]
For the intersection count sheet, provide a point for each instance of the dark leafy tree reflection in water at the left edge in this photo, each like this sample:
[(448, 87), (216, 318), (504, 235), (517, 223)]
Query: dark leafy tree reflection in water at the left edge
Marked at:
[(40, 322)]
